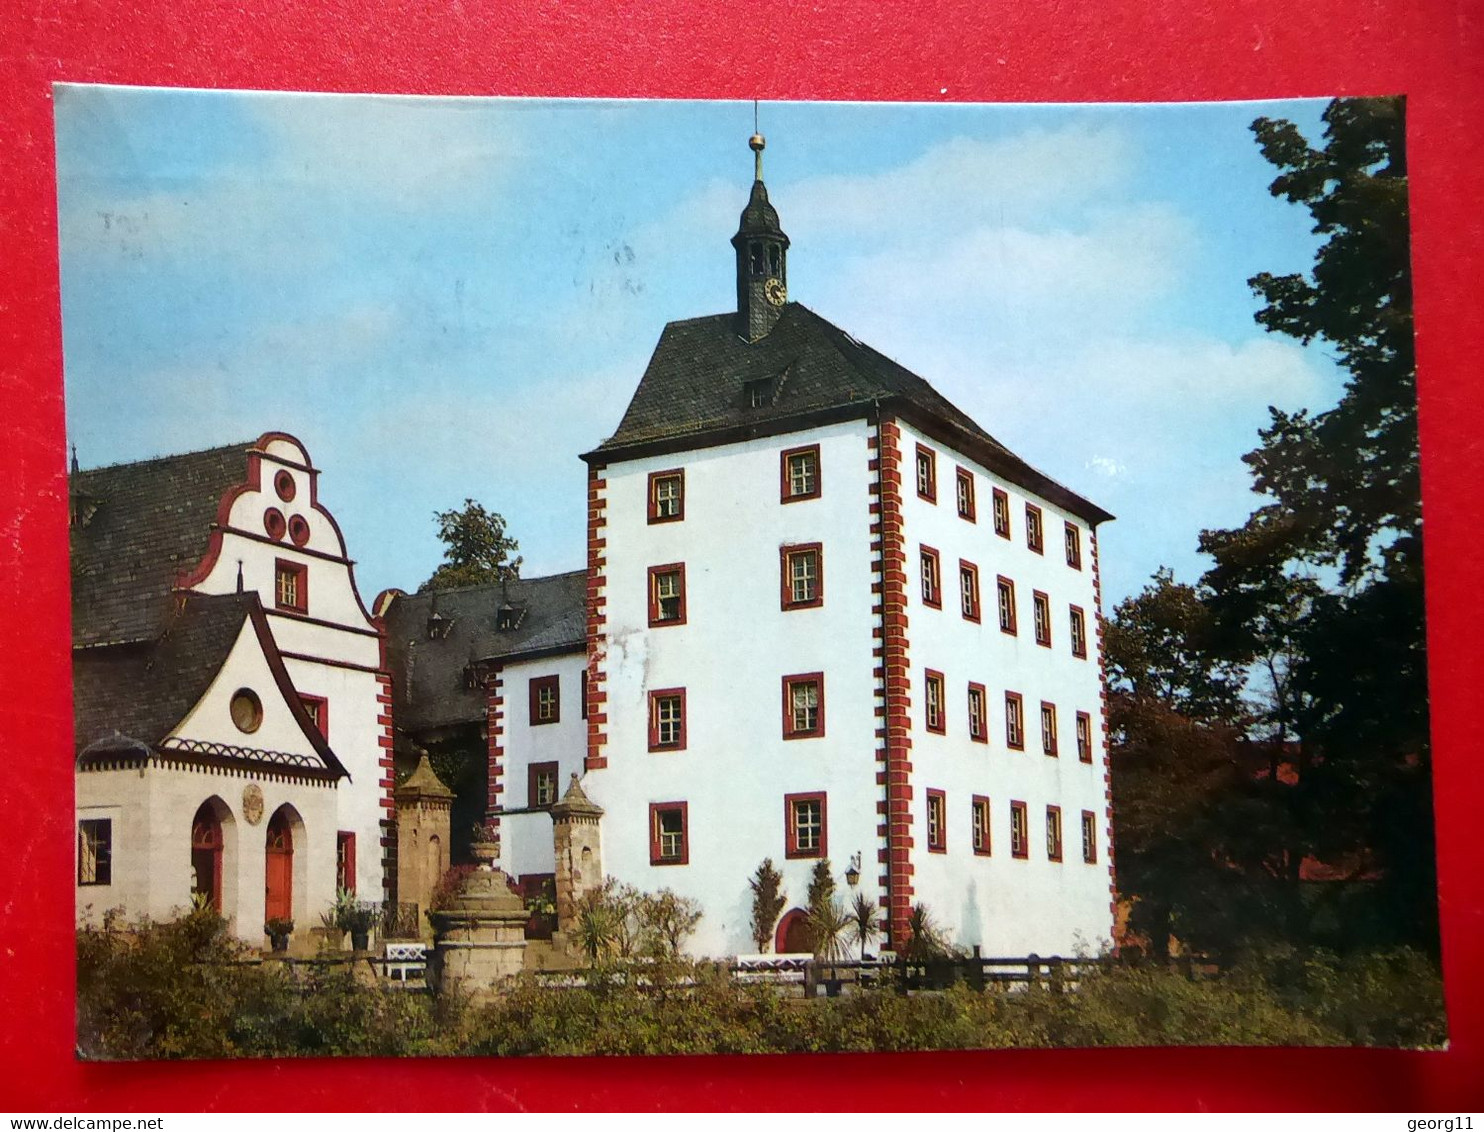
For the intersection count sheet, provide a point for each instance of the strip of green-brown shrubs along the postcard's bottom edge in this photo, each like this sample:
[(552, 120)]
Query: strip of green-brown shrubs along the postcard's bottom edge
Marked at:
[(185, 989)]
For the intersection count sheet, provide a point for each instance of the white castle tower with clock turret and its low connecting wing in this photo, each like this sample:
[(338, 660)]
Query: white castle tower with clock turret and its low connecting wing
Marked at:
[(826, 615)]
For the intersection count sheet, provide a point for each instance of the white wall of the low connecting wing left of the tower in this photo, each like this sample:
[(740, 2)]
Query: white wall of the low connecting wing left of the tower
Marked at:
[(526, 840)]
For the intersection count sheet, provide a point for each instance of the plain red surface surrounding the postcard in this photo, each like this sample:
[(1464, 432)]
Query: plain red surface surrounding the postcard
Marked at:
[(1117, 50)]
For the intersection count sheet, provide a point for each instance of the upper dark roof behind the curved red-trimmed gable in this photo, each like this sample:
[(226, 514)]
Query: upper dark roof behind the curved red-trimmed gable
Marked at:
[(146, 524)]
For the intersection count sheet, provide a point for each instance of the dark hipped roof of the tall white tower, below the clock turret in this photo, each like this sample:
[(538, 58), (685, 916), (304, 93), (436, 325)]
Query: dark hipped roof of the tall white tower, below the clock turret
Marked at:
[(695, 391)]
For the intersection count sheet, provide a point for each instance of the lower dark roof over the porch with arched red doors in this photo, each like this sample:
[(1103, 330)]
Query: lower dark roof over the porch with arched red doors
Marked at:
[(131, 697)]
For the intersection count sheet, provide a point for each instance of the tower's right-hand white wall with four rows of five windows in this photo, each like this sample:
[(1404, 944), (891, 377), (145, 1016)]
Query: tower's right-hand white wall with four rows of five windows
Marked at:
[(1007, 906)]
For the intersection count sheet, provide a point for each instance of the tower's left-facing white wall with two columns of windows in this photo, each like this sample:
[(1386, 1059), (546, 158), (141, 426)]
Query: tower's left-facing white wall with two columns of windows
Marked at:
[(731, 657)]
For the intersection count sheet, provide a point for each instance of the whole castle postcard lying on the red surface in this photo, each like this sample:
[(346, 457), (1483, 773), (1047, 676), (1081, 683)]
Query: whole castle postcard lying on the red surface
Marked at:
[(679, 578)]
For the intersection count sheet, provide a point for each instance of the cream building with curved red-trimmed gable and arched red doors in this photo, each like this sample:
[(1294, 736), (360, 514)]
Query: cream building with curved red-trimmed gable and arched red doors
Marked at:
[(232, 710)]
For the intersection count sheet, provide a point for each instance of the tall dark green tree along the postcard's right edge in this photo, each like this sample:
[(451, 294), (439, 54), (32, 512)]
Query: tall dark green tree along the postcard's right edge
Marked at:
[(1322, 588)]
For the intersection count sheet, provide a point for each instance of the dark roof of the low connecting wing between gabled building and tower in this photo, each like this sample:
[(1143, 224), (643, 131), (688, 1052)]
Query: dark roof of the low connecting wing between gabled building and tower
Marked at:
[(430, 683)]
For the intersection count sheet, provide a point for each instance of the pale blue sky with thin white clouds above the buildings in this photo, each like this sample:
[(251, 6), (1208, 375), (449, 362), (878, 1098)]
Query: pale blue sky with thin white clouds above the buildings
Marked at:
[(453, 299)]
